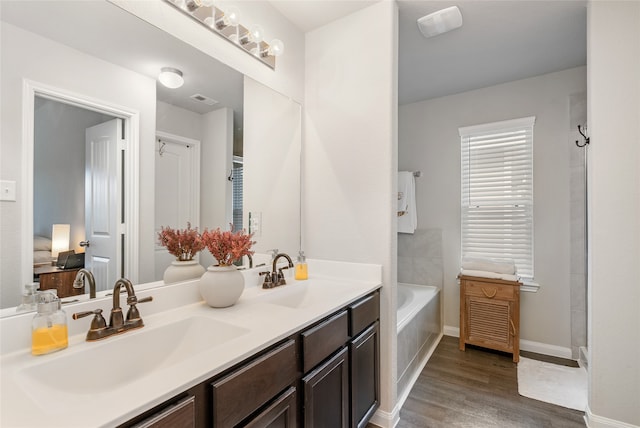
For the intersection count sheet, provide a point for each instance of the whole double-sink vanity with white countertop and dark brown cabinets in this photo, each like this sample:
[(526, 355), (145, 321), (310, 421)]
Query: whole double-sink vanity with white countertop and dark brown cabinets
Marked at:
[(302, 354)]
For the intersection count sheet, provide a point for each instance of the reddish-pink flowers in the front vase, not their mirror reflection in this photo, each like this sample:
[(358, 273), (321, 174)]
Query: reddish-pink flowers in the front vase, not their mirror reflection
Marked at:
[(227, 247)]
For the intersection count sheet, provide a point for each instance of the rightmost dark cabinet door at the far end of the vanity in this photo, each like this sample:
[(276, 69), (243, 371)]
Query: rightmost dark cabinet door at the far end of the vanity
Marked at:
[(365, 375)]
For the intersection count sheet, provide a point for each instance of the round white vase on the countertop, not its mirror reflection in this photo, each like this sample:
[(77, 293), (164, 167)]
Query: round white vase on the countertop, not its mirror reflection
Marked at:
[(221, 286)]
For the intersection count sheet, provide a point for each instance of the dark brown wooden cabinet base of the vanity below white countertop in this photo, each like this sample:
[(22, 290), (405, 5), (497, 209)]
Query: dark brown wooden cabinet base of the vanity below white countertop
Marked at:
[(326, 375)]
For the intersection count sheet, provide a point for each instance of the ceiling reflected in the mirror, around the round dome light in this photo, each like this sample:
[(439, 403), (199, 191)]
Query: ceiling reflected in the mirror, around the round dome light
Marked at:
[(136, 45)]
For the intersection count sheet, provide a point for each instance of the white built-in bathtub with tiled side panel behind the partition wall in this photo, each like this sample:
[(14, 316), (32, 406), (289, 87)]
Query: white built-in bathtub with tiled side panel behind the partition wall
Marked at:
[(419, 330)]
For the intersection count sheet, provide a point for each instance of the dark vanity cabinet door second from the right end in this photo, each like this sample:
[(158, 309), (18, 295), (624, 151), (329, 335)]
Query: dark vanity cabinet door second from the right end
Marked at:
[(326, 393)]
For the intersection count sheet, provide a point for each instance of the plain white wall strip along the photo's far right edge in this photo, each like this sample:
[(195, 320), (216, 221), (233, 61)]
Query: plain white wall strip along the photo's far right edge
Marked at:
[(614, 213)]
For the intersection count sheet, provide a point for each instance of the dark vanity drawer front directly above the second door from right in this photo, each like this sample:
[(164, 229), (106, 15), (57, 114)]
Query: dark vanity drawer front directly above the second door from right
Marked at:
[(323, 340)]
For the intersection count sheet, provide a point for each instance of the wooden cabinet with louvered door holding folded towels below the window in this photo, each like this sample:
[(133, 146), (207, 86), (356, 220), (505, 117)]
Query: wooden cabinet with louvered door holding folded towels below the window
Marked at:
[(490, 314)]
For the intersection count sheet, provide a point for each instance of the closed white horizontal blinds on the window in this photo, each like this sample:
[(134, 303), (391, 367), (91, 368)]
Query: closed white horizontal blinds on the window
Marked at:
[(497, 191)]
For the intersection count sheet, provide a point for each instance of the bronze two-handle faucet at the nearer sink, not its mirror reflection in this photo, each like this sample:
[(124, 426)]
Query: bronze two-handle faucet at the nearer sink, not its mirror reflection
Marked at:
[(117, 322)]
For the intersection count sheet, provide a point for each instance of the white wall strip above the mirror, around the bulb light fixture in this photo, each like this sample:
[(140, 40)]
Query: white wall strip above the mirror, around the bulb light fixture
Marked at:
[(287, 78)]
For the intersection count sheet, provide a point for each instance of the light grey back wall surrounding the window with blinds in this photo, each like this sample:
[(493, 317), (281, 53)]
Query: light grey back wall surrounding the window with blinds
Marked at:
[(429, 142)]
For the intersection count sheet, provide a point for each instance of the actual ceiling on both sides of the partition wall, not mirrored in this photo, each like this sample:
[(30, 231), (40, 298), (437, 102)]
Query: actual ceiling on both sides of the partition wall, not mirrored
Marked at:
[(500, 41)]
